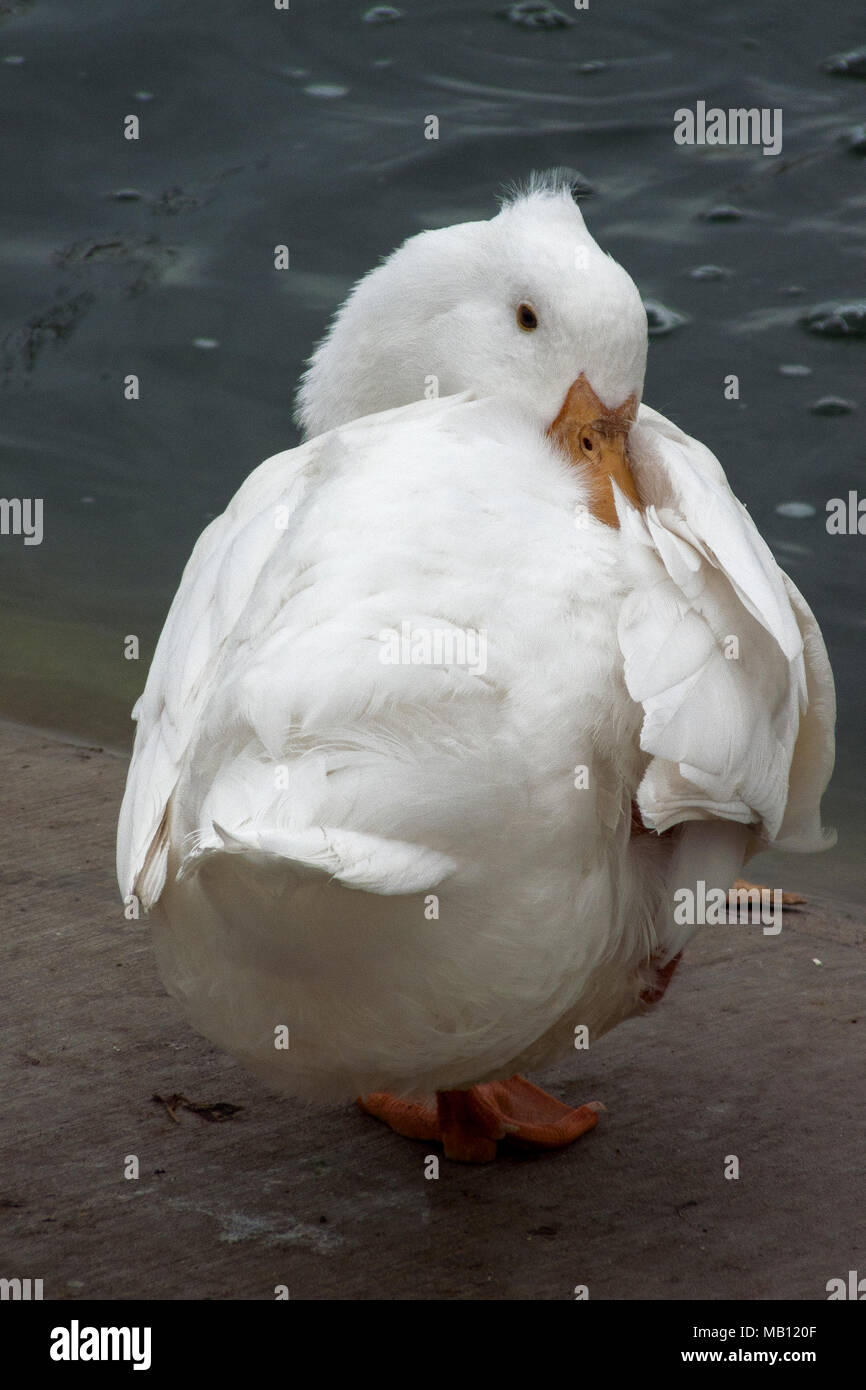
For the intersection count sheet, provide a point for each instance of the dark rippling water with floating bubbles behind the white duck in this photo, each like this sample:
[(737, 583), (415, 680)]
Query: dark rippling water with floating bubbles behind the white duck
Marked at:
[(261, 127)]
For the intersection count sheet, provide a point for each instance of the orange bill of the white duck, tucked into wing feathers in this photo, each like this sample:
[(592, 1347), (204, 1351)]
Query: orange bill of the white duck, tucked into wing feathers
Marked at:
[(597, 439)]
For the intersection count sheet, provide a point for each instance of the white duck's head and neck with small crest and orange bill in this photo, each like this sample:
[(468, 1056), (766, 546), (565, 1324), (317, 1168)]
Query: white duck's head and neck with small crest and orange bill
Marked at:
[(525, 306)]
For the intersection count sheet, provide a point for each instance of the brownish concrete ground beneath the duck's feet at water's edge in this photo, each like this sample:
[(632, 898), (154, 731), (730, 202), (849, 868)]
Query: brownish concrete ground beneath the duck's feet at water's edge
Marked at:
[(757, 1053)]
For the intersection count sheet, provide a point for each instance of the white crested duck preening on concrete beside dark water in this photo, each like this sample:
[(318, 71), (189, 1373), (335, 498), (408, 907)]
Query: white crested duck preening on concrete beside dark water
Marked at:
[(418, 678)]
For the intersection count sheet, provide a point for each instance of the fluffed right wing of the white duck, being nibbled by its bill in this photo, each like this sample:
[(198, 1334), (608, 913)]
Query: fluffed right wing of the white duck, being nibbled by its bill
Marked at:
[(724, 654)]
